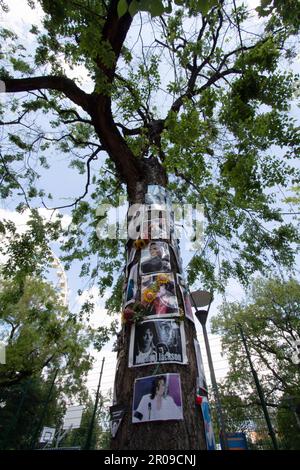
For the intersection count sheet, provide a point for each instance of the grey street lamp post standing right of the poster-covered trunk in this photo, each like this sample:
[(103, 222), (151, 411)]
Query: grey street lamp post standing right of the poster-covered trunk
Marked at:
[(200, 299)]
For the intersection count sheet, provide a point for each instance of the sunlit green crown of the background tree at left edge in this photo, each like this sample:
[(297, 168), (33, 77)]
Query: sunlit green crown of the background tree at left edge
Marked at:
[(39, 332)]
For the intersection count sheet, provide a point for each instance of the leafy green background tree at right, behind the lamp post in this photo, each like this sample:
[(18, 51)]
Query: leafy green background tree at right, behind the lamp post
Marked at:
[(270, 322)]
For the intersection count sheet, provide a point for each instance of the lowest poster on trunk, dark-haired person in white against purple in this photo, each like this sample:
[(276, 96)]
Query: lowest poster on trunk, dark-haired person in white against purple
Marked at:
[(157, 398)]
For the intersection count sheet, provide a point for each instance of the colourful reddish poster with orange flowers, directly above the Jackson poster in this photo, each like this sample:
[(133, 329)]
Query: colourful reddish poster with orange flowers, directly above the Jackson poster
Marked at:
[(164, 301)]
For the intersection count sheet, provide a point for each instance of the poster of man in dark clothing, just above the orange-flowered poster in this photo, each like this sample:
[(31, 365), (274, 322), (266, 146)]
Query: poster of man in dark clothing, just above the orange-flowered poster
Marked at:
[(155, 258)]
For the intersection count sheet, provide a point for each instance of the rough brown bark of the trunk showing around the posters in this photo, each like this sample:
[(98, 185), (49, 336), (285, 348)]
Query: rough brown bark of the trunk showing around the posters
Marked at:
[(156, 435)]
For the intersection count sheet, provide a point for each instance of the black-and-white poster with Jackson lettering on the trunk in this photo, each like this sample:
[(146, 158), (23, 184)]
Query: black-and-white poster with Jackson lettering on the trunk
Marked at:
[(157, 341)]
